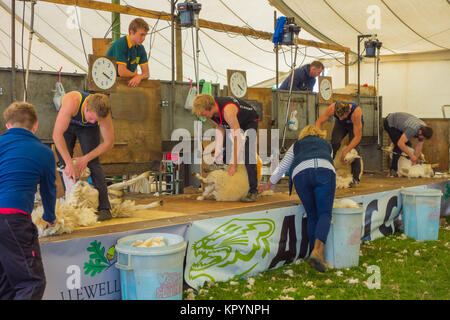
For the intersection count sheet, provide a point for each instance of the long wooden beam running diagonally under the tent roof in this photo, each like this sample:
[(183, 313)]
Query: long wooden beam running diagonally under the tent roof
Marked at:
[(102, 6)]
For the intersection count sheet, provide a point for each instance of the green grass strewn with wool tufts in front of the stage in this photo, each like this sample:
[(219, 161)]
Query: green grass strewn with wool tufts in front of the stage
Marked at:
[(409, 270)]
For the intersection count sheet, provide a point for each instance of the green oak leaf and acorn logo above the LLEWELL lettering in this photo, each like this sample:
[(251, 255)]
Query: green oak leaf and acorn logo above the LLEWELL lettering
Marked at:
[(98, 260)]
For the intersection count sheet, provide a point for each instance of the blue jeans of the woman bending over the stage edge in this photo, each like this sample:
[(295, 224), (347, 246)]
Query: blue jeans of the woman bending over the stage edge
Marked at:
[(315, 188)]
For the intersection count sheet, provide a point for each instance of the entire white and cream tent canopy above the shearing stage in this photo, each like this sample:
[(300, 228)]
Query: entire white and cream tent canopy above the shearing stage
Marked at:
[(405, 26)]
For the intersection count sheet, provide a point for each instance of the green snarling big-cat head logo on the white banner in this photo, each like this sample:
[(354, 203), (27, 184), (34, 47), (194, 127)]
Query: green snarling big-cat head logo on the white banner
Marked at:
[(241, 241)]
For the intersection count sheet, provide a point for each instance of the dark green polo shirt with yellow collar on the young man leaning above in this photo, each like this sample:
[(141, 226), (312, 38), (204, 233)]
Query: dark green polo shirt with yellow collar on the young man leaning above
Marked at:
[(127, 54)]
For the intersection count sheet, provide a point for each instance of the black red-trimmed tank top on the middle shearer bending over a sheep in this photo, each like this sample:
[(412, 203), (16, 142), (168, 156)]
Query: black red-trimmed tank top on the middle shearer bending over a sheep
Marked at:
[(246, 113)]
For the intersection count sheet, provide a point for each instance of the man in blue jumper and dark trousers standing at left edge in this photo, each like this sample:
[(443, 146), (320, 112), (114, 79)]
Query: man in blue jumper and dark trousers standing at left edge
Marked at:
[(24, 163)]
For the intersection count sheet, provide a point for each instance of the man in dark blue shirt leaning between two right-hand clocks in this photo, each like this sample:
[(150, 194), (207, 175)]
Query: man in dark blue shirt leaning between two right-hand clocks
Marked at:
[(304, 77)]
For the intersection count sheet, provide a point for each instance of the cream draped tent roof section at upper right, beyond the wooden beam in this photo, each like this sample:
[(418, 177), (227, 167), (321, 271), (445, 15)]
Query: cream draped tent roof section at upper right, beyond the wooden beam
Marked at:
[(402, 25)]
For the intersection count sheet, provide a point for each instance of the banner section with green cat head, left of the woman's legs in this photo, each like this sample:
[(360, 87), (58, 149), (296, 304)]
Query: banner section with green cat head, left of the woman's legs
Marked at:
[(236, 246)]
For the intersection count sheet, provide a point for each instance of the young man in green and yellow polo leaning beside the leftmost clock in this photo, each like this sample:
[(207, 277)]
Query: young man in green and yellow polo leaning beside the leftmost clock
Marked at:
[(129, 53)]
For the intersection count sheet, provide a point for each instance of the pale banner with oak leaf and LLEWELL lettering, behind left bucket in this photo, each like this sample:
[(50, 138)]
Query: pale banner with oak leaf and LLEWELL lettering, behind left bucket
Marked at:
[(83, 269)]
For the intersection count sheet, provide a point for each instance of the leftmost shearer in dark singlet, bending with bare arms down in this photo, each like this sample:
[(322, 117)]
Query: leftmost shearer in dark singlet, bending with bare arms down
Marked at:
[(85, 117)]
